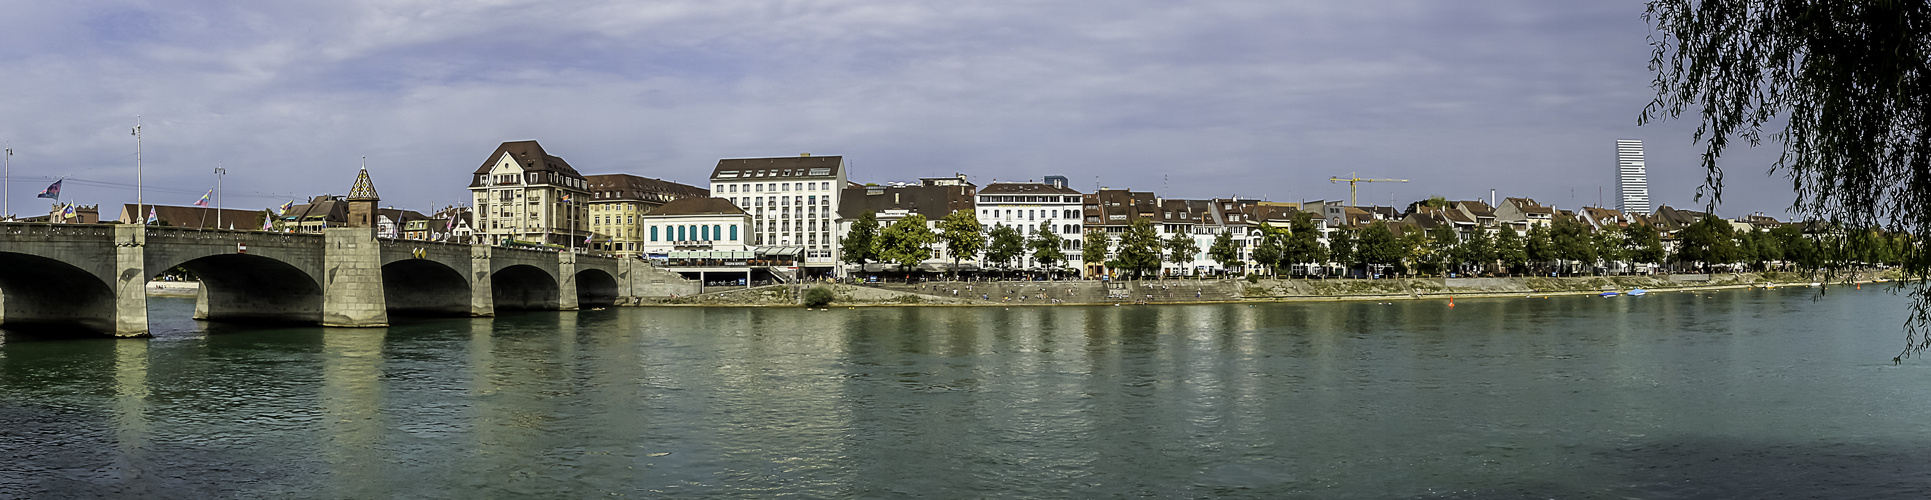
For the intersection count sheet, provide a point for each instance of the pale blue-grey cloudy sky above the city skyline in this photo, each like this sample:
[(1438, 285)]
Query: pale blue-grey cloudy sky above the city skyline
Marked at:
[(1189, 99)]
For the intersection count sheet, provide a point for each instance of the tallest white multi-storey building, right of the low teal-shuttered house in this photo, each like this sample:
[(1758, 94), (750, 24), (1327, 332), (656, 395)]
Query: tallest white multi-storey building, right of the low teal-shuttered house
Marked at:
[(793, 204)]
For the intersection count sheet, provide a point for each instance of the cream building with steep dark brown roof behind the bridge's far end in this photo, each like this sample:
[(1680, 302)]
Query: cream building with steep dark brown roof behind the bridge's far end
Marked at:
[(522, 194)]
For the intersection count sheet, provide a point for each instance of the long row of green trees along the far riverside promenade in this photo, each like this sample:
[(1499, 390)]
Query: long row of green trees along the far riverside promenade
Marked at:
[(1565, 246)]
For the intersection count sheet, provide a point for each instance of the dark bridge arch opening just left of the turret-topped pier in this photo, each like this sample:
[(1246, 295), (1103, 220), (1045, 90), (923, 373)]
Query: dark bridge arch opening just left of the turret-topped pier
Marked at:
[(254, 289)]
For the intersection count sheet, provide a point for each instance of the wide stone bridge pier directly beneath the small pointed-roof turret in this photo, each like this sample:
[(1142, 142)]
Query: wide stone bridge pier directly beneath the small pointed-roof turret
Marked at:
[(352, 279)]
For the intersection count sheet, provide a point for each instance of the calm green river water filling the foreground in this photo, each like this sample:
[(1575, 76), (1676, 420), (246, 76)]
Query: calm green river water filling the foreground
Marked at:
[(1716, 395)]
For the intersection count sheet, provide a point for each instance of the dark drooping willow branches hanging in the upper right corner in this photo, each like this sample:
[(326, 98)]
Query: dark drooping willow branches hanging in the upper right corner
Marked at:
[(1841, 84)]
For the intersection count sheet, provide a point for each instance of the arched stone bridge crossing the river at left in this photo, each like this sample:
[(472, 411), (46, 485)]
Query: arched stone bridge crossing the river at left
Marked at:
[(96, 277)]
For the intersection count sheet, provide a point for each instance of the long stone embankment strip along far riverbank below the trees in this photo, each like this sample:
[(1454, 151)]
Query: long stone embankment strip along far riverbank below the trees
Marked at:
[(1088, 292)]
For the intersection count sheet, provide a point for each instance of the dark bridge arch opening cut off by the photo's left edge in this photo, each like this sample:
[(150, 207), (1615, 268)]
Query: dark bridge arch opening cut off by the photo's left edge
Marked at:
[(42, 294)]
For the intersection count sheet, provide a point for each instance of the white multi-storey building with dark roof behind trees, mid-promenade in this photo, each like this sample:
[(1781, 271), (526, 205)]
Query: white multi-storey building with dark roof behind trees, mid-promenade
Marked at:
[(1026, 206)]
